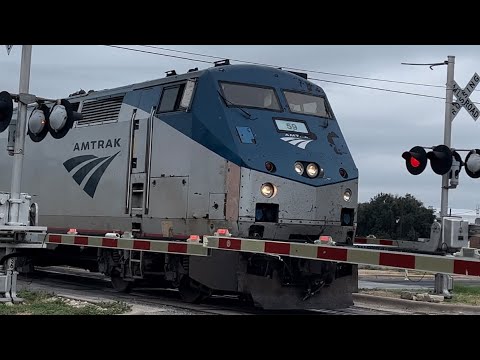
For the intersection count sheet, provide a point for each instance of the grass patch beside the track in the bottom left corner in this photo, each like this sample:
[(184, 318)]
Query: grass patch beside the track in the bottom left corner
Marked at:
[(42, 303)]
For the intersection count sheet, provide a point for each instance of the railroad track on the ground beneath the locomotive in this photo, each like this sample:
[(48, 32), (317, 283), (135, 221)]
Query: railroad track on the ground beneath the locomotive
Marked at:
[(73, 282)]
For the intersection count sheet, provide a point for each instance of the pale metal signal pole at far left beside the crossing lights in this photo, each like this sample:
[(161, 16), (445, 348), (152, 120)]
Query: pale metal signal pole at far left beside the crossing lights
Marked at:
[(24, 100)]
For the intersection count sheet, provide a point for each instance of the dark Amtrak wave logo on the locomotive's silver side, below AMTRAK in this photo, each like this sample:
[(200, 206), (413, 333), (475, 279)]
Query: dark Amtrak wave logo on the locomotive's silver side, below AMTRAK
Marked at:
[(90, 162)]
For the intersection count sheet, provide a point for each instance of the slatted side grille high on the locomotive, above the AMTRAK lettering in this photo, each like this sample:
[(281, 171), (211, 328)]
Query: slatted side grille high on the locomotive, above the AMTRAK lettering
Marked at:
[(101, 111)]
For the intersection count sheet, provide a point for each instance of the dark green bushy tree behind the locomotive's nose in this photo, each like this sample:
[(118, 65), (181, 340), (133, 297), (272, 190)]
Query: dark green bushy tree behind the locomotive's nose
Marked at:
[(394, 217)]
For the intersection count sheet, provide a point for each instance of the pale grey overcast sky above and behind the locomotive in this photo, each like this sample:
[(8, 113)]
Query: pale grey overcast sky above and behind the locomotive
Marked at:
[(378, 125)]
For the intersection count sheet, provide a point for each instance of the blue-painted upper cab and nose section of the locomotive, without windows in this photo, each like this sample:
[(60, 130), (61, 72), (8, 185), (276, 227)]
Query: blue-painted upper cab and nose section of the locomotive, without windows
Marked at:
[(250, 136)]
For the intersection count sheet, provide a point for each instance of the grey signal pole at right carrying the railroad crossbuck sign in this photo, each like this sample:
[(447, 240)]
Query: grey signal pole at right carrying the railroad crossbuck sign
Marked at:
[(442, 280)]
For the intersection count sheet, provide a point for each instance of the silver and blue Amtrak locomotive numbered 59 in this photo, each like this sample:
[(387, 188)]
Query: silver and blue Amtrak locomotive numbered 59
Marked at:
[(252, 149)]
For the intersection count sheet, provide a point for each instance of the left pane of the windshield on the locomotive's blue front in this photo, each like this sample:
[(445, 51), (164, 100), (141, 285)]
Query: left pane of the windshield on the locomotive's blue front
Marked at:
[(250, 96)]
